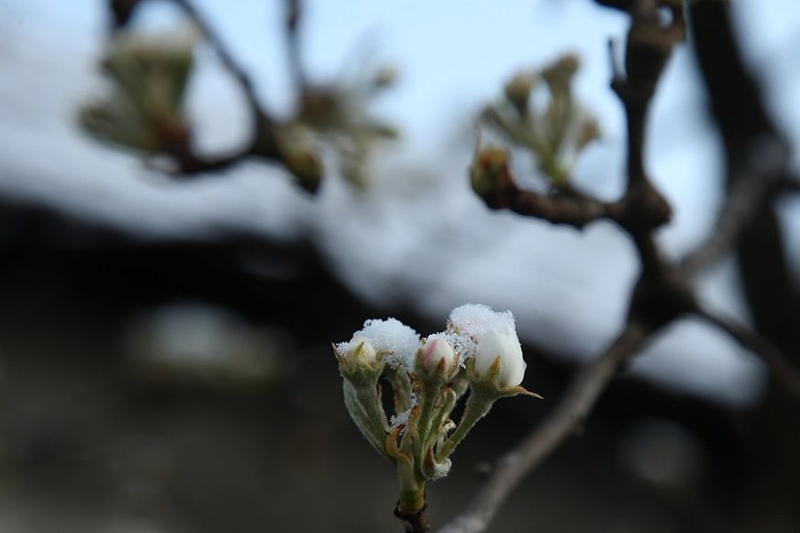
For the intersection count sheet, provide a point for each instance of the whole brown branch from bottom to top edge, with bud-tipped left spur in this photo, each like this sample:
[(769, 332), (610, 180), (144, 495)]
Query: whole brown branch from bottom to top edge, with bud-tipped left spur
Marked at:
[(660, 296)]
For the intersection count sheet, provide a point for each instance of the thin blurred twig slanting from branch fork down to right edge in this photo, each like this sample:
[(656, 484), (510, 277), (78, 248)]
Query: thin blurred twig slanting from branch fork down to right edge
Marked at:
[(778, 364)]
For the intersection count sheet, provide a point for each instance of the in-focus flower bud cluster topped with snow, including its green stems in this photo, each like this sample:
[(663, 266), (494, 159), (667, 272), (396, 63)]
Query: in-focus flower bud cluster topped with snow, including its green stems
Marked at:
[(478, 352)]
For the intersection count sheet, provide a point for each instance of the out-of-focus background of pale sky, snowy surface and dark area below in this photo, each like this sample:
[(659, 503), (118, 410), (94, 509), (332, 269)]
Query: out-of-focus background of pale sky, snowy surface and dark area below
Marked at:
[(165, 360)]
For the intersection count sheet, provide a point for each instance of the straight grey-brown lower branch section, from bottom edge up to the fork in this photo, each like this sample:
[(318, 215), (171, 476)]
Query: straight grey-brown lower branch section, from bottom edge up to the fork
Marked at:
[(574, 407)]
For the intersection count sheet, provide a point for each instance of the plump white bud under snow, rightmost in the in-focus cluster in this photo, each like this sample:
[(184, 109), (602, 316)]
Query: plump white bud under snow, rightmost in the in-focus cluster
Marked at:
[(500, 343)]
